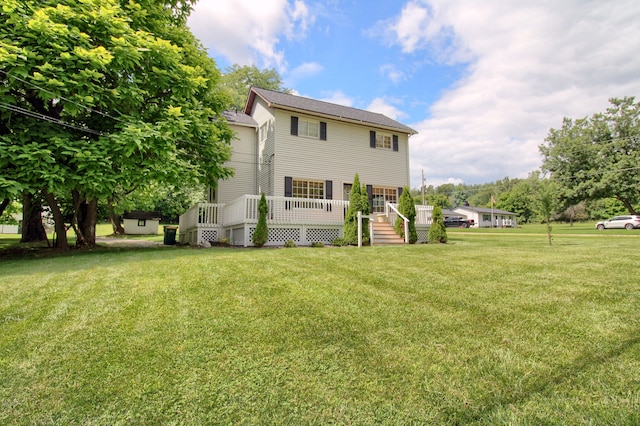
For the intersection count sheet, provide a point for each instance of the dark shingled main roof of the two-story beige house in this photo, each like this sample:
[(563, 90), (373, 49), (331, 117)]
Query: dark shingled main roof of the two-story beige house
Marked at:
[(327, 109)]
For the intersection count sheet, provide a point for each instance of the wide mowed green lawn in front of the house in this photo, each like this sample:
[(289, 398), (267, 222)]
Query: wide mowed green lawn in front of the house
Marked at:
[(484, 330)]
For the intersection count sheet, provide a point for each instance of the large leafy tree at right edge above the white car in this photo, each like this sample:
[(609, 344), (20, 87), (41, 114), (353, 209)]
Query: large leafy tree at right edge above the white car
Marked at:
[(597, 157)]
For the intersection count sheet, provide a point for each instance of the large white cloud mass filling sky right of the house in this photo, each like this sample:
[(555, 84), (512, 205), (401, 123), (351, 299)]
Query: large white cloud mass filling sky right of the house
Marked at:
[(533, 64)]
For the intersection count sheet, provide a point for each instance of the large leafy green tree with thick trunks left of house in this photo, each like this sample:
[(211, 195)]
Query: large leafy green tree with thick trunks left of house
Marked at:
[(97, 94)]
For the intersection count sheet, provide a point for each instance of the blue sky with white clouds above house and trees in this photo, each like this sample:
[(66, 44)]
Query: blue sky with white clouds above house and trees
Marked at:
[(482, 82)]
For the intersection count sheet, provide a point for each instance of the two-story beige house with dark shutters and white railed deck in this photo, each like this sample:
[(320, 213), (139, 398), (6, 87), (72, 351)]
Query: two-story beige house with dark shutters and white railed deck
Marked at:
[(303, 155)]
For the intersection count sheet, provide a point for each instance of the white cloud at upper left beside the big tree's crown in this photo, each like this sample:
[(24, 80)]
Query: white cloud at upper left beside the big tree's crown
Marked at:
[(247, 32)]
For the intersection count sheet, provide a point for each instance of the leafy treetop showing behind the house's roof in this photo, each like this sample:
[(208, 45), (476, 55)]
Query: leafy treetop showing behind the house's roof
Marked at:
[(237, 80)]
